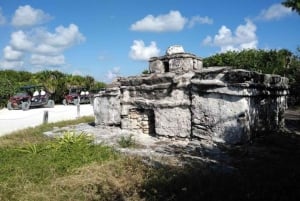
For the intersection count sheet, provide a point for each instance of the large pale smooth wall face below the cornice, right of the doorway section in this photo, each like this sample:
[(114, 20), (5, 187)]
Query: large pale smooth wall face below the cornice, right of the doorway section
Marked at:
[(224, 119)]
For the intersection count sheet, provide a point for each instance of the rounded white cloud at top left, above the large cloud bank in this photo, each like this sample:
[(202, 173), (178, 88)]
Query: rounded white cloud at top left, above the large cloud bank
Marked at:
[(28, 16)]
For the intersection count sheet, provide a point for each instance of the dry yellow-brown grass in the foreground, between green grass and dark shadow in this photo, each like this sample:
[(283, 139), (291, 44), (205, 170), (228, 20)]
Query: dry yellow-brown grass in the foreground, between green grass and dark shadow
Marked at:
[(115, 180)]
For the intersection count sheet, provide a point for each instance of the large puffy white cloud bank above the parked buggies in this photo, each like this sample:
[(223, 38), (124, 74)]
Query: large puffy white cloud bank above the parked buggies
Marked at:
[(42, 47)]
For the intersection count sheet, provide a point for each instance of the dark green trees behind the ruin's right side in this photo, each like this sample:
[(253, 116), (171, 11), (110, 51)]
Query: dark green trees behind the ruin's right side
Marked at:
[(281, 62)]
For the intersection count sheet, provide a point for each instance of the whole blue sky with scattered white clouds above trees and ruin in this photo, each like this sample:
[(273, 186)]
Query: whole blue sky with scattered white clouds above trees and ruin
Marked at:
[(108, 38)]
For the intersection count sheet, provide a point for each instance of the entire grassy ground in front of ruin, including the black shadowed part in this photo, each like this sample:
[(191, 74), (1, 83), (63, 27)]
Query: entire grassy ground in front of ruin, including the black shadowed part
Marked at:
[(72, 168)]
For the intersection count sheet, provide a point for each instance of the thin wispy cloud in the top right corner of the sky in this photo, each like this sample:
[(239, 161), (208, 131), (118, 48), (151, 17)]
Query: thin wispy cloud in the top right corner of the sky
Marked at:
[(276, 11)]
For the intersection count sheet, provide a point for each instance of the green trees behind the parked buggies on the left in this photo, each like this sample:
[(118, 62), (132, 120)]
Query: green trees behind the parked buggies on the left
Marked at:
[(55, 82)]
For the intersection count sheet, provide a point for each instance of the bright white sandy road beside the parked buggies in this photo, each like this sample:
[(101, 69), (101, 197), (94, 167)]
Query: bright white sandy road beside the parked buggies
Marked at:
[(12, 120)]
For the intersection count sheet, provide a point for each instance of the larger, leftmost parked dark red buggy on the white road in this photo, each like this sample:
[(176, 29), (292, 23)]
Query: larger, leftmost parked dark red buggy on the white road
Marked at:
[(30, 96)]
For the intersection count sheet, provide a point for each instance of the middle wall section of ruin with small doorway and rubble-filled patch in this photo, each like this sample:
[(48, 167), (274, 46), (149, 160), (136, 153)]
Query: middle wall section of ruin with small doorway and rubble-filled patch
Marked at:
[(156, 105)]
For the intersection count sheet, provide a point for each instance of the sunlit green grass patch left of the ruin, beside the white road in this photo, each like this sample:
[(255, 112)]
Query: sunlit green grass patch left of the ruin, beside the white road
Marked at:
[(24, 168)]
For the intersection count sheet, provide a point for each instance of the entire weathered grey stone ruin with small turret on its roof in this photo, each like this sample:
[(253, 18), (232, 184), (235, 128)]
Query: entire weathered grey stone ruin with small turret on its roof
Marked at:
[(180, 98)]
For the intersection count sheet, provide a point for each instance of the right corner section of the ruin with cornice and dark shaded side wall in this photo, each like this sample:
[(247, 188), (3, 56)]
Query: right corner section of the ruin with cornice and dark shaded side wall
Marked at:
[(231, 106)]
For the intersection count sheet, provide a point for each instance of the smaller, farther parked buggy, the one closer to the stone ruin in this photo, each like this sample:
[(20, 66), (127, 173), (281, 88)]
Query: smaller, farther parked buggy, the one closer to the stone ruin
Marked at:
[(76, 95)]
